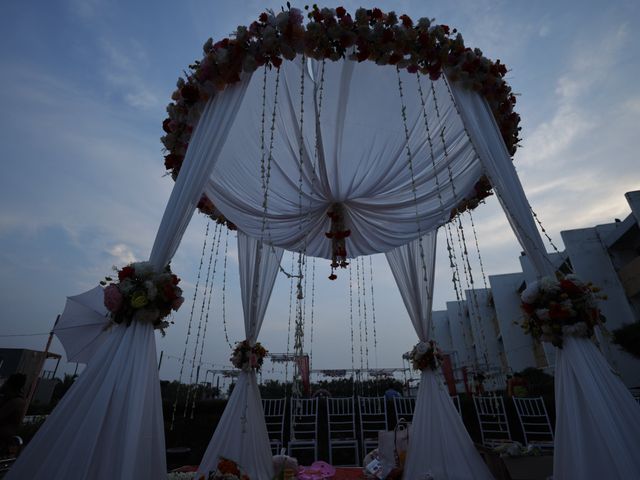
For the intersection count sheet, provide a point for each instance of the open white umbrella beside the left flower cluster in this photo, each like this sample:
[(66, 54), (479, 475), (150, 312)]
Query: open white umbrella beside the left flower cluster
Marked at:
[(82, 326)]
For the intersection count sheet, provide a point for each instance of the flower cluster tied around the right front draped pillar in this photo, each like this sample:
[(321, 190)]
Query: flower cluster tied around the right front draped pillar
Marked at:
[(557, 307)]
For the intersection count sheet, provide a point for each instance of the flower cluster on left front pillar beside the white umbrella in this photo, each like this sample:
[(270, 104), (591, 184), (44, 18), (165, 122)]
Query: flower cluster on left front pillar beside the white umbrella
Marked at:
[(141, 294)]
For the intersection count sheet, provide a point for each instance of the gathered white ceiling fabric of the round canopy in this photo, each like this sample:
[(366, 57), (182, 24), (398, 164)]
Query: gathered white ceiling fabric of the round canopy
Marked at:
[(361, 159)]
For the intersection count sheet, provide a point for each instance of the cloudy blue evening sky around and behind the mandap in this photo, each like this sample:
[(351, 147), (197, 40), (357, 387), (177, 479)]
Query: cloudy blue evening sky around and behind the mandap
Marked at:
[(84, 87)]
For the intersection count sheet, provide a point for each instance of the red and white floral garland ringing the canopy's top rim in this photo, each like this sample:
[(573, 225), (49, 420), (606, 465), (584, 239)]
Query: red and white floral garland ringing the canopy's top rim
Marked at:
[(373, 35)]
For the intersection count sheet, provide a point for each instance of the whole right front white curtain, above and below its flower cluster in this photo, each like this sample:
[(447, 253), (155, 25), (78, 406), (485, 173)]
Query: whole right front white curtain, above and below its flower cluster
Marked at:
[(597, 420)]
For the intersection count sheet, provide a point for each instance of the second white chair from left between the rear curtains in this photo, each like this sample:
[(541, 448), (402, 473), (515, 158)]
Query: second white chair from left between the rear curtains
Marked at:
[(304, 426)]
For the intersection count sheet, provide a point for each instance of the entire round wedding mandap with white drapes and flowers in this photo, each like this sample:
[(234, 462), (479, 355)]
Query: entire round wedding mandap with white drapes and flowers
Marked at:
[(333, 135)]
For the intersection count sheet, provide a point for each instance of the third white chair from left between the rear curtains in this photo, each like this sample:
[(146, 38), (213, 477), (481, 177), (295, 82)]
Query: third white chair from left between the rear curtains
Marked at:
[(341, 423)]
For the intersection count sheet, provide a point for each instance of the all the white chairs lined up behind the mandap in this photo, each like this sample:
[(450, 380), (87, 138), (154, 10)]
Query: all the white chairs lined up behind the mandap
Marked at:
[(370, 415)]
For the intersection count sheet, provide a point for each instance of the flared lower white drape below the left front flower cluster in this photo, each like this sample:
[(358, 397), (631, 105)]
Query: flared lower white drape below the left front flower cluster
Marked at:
[(109, 424)]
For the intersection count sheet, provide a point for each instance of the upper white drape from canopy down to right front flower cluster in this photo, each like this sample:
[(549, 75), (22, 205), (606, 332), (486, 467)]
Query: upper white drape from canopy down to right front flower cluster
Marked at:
[(498, 167)]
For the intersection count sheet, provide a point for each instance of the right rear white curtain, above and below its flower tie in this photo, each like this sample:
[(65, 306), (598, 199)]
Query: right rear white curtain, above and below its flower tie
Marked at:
[(439, 443)]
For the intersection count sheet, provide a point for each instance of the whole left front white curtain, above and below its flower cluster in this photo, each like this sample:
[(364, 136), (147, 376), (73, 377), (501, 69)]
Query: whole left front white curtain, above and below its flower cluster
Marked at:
[(109, 424)]
